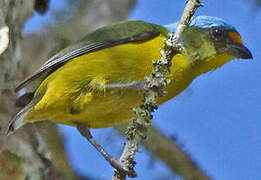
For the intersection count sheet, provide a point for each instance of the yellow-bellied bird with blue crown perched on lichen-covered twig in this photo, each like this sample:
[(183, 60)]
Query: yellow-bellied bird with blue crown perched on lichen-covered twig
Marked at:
[(96, 82)]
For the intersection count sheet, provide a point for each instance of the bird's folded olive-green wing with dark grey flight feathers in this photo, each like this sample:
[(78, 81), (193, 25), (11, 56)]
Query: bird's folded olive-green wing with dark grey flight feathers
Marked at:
[(108, 36)]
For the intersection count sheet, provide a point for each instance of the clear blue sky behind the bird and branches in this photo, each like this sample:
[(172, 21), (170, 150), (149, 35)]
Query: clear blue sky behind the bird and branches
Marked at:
[(217, 118)]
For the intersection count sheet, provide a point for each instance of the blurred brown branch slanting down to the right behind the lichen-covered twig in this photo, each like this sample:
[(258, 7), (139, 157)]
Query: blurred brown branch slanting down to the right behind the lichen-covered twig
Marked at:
[(168, 150)]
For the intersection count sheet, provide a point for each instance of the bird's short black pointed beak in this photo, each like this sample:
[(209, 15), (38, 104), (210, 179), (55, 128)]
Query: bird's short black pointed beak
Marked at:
[(240, 51)]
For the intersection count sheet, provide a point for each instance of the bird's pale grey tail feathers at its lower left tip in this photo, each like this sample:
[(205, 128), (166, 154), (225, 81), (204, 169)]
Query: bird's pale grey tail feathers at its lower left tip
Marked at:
[(18, 120)]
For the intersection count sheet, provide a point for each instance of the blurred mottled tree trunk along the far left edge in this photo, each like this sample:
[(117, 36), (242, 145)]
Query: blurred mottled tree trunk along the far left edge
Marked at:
[(16, 154)]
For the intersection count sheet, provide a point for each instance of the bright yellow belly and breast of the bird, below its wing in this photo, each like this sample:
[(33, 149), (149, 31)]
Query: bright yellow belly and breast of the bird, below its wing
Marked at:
[(76, 91)]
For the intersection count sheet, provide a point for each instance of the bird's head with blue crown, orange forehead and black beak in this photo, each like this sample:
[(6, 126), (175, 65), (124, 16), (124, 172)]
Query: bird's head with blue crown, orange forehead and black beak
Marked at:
[(210, 42)]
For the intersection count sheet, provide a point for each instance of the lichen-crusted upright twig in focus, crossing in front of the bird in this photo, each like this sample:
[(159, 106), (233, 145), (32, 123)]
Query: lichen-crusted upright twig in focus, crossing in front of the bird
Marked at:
[(156, 83)]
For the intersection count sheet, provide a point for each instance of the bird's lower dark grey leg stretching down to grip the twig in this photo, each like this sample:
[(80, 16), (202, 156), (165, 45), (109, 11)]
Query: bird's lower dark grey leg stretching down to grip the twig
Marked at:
[(115, 163)]
